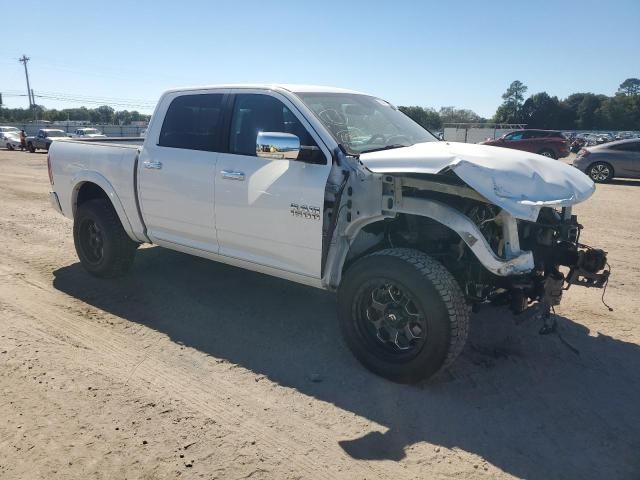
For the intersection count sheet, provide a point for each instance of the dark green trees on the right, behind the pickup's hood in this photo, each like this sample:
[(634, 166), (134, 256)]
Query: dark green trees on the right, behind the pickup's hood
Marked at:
[(579, 111)]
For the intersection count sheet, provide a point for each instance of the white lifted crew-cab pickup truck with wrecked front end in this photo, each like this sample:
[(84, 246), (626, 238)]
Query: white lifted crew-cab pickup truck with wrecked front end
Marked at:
[(341, 191)]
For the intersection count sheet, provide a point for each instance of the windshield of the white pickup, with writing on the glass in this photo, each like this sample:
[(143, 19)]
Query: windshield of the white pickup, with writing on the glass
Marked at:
[(361, 123)]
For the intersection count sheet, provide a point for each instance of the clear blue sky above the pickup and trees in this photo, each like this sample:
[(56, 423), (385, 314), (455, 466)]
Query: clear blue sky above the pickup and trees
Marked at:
[(461, 53)]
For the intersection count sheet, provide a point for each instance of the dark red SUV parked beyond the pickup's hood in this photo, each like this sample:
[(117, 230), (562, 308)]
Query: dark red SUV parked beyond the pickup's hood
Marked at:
[(549, 143)]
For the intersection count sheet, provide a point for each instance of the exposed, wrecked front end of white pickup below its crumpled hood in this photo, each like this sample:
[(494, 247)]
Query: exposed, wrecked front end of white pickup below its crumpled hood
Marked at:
[(495, 257)]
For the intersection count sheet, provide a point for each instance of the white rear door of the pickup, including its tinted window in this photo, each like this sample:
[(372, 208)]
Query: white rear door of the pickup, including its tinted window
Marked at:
[(177, 171)]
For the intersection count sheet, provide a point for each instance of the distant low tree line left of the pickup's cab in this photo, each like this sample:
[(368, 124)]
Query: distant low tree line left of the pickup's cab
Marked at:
[(101, 115)]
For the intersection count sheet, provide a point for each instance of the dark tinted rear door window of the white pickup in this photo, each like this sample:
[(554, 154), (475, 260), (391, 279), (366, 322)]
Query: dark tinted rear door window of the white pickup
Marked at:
[(193, 122)]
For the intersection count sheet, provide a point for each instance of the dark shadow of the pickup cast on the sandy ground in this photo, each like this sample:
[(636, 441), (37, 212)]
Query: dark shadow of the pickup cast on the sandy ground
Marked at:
[(526, 403)]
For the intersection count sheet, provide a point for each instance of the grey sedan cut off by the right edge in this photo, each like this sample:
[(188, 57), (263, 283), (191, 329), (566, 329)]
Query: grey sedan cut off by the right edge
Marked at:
[(615, 159)]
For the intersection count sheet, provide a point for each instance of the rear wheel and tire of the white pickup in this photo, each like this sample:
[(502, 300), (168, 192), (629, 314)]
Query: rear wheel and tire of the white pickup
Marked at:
[(103, 247)]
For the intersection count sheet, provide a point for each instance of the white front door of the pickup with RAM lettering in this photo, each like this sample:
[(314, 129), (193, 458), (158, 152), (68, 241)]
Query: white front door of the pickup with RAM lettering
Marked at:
[(270, 212)]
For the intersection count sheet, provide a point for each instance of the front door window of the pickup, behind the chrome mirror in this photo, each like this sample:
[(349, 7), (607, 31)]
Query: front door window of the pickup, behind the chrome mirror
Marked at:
[(253, 113)]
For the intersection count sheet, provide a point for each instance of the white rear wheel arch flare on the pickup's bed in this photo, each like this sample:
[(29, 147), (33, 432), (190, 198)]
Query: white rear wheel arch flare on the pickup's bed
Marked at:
[(90, 185)]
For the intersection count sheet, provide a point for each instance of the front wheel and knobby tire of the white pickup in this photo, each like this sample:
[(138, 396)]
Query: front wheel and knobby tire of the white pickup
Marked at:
[(431, 305)]
